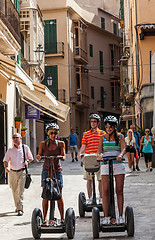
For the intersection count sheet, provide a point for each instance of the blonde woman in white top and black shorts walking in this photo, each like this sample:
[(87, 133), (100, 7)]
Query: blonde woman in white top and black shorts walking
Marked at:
[(130, 149)]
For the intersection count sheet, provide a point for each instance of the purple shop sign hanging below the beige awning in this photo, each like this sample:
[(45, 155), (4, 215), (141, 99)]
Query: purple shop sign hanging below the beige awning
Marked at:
[(31, 112)]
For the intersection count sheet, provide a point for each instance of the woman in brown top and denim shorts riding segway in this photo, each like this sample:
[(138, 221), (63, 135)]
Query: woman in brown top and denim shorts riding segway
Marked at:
[(52, 147)]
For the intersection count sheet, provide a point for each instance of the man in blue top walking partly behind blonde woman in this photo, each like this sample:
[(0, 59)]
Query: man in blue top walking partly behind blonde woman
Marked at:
[(137, 138)]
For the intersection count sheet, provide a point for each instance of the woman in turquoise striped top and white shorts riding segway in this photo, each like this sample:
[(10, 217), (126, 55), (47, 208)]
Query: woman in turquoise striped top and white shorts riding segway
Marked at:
[(112, 144)]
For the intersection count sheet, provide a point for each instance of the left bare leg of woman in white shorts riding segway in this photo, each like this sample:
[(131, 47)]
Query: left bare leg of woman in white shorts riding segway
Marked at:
[(105, 194)]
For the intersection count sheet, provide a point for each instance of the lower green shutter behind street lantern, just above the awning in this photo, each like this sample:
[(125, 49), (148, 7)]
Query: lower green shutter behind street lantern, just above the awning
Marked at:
[(53, 72)]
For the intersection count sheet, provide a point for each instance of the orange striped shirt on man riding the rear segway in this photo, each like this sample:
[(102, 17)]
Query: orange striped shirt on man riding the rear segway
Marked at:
[(91, 140)]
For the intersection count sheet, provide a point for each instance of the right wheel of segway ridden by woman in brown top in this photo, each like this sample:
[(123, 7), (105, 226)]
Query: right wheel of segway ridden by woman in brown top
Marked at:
[(70, 223)]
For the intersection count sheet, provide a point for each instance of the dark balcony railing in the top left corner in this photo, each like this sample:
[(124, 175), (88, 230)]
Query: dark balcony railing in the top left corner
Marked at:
[(10, 17)]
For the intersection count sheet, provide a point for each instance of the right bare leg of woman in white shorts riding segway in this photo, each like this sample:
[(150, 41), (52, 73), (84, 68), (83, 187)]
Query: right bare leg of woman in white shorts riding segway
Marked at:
[(119, 191)]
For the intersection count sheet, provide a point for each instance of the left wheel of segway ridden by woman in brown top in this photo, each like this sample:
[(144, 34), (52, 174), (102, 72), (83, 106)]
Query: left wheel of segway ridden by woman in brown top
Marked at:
[(36, 223)]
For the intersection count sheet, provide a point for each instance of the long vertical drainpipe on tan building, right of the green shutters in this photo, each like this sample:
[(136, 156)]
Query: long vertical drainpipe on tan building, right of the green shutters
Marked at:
[(69, 58)]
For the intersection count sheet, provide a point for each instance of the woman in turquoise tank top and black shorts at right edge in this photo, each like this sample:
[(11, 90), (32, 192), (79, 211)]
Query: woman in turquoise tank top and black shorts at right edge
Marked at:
[(147, 143)]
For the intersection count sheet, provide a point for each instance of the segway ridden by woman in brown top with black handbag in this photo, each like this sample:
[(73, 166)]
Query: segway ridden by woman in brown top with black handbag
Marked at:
[(53, 225)]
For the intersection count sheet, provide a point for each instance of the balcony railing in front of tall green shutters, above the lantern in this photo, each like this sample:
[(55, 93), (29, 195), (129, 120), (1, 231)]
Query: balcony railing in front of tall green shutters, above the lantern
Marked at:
[(54, 48)]
